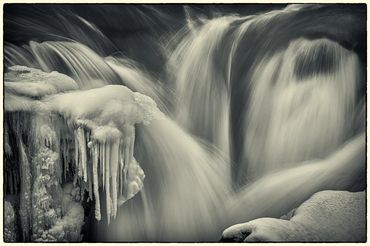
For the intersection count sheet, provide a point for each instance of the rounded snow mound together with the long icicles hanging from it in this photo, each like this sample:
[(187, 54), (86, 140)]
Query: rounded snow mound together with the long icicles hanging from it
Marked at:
[(103, 122)]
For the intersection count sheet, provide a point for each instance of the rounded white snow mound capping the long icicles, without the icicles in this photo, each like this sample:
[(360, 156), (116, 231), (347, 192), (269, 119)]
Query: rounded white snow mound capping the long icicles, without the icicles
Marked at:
[(113, 105)]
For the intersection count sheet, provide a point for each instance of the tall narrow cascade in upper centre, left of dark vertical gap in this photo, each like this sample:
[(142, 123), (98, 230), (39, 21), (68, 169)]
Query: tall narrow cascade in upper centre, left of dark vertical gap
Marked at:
[(199, 73)]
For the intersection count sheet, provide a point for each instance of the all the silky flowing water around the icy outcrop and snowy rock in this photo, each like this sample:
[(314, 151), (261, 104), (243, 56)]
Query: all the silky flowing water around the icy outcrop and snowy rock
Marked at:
[(268, 103)]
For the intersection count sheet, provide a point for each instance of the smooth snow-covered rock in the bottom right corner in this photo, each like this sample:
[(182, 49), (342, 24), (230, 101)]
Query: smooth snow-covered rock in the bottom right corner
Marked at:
[(328, 216)]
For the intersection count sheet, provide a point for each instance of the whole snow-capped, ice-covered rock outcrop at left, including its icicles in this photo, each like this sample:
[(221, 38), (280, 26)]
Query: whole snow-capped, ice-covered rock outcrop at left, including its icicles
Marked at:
[(63, 148)]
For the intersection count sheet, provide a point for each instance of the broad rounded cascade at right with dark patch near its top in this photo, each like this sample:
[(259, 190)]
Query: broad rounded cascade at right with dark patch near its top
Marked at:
[(301, 106)]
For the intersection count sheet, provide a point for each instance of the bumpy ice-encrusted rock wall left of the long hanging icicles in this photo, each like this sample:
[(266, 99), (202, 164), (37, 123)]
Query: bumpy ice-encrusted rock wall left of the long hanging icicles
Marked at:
[(42, 212)]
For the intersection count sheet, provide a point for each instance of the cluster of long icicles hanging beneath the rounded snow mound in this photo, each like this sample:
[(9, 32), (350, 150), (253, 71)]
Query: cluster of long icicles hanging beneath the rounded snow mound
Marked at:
[(107, 164)]
